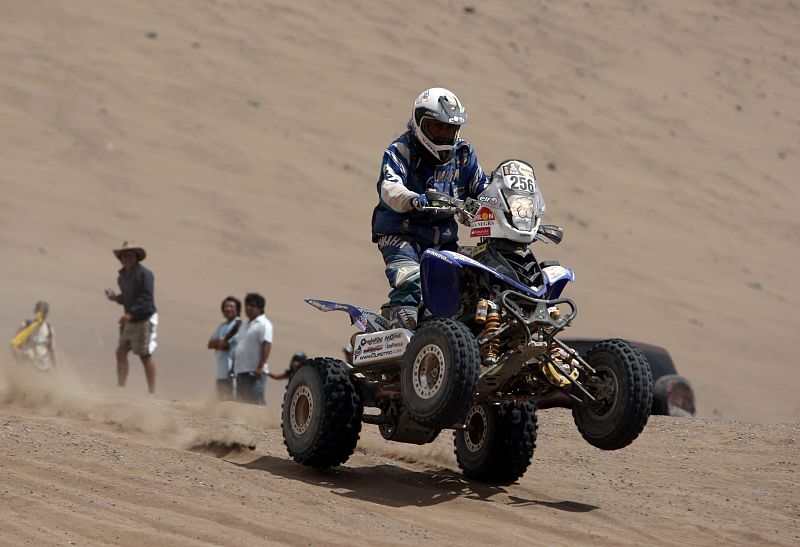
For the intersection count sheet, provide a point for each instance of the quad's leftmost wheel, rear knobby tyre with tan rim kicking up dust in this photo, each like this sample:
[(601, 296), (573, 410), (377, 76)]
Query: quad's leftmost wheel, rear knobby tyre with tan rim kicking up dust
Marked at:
[(321, 414)]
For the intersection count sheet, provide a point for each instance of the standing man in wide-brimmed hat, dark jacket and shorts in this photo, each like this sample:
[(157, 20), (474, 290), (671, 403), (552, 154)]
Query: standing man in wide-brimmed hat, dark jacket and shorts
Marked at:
[(138, 324)]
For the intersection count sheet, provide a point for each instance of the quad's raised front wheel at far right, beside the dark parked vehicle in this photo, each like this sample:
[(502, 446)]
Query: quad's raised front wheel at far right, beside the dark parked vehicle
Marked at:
[(623, 392)]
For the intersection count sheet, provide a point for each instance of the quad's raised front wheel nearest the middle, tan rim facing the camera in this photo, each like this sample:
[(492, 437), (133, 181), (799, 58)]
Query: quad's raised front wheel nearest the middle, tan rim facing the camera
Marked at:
[(440, 373)]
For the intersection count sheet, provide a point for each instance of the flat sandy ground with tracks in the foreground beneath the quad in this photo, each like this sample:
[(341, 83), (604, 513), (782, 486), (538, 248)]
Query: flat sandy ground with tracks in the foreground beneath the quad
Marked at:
[(99, 468)]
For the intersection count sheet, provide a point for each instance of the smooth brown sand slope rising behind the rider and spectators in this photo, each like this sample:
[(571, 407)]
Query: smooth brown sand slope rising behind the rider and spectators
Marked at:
[(239, 143)]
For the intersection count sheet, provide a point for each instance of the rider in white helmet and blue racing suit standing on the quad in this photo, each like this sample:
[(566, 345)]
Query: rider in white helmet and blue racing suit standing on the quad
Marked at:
[(428, 156)]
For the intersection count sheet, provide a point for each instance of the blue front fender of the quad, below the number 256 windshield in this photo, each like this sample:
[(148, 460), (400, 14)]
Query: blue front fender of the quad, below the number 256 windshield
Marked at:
[(442, 273)]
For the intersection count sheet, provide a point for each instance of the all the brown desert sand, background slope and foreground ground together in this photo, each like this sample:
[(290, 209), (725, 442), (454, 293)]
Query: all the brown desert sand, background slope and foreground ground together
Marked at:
[(239, 143)]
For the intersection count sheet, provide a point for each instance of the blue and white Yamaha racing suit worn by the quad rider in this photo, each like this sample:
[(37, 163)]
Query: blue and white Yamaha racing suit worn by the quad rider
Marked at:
[(403, 233)]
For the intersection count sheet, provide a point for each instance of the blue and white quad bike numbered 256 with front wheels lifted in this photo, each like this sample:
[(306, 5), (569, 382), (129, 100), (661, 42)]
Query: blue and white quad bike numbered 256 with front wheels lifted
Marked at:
[(484, 351)]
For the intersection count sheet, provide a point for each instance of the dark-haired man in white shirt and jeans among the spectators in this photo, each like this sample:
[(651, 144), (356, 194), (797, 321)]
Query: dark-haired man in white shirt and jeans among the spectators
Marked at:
[(253, 343)]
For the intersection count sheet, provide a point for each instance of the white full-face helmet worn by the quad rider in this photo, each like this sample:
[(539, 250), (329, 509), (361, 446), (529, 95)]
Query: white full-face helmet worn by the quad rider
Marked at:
[(438, 105)]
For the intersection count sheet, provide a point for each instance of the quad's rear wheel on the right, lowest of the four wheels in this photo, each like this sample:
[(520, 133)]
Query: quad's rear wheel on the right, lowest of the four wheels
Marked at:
[(498, 442)]
